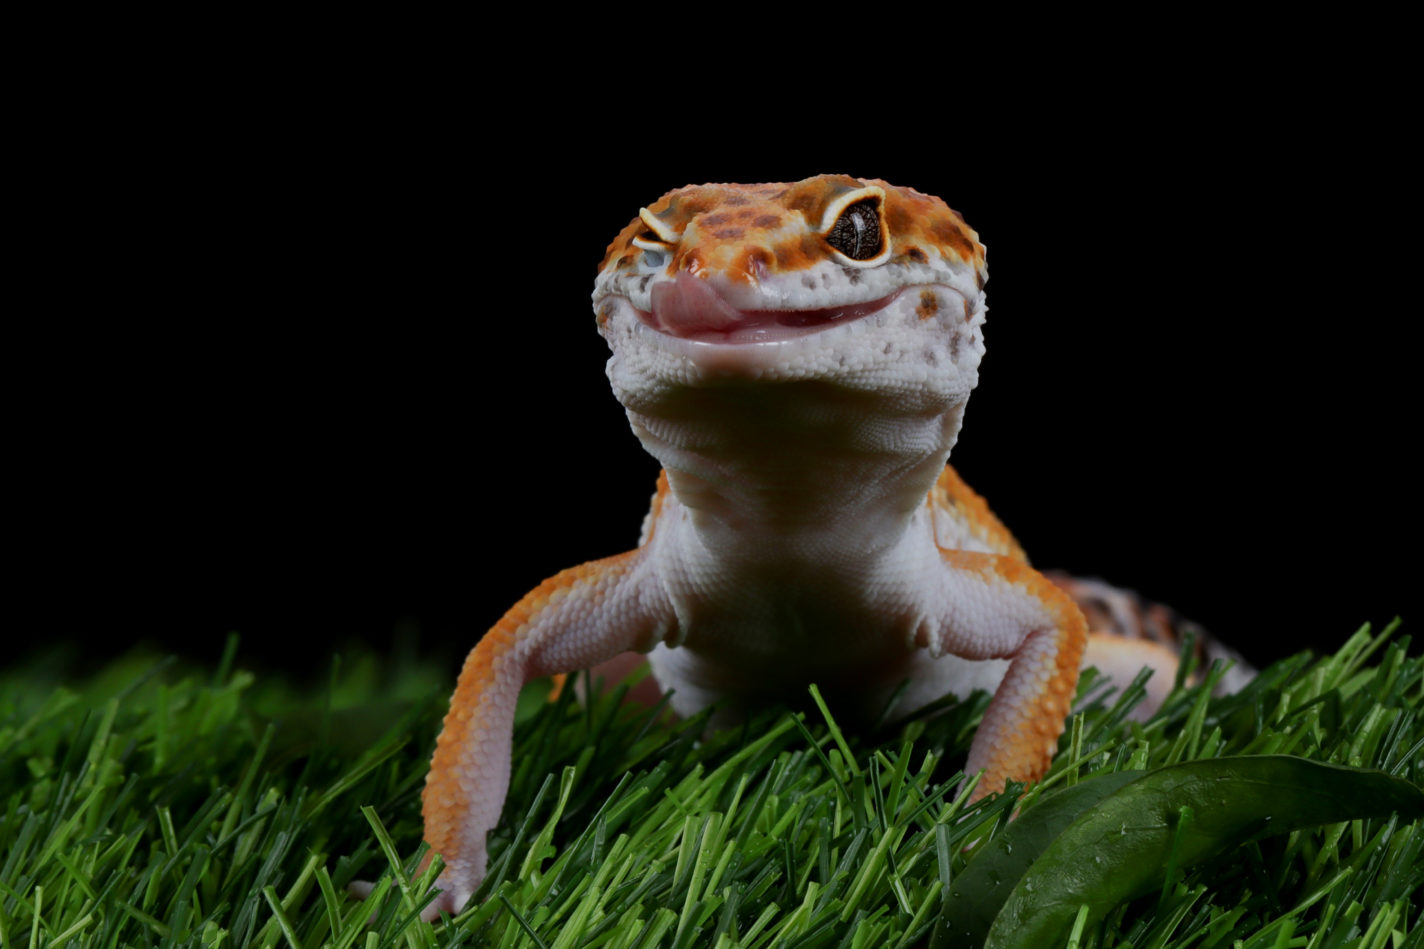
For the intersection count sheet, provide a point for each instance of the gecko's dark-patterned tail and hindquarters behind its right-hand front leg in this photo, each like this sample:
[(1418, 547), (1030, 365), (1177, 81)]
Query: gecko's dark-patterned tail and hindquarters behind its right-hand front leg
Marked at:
[(1124, 622)]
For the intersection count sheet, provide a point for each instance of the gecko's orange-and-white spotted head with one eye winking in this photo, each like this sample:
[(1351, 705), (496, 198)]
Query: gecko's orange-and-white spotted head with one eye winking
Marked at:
[(835, 280)]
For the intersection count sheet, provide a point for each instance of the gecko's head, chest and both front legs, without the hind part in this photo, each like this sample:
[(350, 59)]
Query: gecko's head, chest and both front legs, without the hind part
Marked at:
[(800, 358)]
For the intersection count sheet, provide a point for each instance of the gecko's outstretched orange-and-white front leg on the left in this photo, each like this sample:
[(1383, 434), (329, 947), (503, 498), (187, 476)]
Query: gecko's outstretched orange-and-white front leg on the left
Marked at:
[(575, 621)]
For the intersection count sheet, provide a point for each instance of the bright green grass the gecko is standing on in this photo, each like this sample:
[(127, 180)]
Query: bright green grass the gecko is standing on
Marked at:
[(155, 809)]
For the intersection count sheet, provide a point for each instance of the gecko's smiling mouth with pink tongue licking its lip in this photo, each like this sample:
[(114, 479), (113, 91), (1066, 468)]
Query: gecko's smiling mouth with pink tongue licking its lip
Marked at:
[(690, 308)]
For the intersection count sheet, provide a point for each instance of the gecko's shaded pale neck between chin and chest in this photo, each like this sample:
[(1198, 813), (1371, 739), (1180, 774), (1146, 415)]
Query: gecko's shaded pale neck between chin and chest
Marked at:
[(804, 464)]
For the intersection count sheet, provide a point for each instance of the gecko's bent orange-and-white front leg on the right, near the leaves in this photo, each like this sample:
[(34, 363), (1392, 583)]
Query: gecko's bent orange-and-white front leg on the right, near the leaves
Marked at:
[(999, 608)]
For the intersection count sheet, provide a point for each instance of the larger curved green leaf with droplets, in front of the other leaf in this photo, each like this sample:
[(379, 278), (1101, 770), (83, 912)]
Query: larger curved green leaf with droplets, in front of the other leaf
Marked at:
[(1119, 850)]
